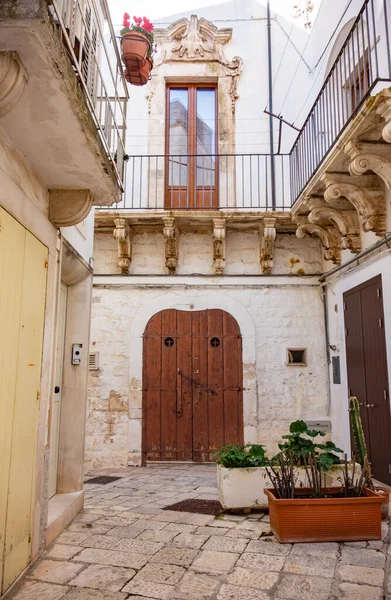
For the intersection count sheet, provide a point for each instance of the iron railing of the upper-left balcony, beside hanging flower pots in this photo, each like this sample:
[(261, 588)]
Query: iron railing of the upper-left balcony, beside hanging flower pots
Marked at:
[(81, 26)]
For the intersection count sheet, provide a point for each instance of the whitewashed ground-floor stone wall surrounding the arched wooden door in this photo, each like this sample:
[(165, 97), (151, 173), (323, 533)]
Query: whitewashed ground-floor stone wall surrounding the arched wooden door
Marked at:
[(272, 317)]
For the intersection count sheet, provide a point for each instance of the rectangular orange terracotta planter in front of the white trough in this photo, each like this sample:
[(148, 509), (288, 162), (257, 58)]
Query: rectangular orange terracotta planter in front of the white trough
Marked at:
[(332, 519)]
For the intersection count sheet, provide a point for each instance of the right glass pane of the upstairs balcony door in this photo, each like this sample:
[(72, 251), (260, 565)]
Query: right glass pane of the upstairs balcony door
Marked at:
[(206, 136)]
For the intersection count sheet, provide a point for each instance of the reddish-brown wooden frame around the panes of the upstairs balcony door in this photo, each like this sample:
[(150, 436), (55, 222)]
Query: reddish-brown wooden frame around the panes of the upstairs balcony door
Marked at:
[(190, 189)]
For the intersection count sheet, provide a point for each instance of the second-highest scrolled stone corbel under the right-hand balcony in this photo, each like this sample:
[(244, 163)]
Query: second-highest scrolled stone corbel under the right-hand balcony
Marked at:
[(367, 157)]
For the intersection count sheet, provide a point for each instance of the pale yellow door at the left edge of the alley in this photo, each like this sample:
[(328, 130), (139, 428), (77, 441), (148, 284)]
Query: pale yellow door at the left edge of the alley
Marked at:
[(22, 394)]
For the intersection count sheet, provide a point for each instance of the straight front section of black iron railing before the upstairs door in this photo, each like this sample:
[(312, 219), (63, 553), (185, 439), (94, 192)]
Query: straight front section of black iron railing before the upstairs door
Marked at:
[(206, 181)]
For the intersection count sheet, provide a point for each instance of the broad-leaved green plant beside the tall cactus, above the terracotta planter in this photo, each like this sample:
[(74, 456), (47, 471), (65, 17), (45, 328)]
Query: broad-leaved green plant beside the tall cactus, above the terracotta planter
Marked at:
[(300, 444)]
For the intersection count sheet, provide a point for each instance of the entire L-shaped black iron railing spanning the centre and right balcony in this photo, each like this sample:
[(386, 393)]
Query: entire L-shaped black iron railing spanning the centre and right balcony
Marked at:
[(265, 183)]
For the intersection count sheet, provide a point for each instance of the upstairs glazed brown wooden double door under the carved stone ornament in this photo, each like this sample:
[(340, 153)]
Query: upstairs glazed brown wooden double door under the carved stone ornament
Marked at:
[(191, 147)]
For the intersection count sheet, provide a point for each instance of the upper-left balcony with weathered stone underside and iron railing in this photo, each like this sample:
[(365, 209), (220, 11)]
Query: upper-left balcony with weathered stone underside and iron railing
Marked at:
[(70, 121)]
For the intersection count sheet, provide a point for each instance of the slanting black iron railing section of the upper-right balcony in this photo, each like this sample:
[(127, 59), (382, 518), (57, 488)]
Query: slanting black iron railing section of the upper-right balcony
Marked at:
[(363, 61)]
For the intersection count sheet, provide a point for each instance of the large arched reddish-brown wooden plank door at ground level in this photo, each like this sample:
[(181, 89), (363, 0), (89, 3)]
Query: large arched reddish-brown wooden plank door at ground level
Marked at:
[(193, 378)]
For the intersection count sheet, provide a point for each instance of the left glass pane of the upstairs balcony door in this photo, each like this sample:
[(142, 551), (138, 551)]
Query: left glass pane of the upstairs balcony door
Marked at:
[(178, 136)]
